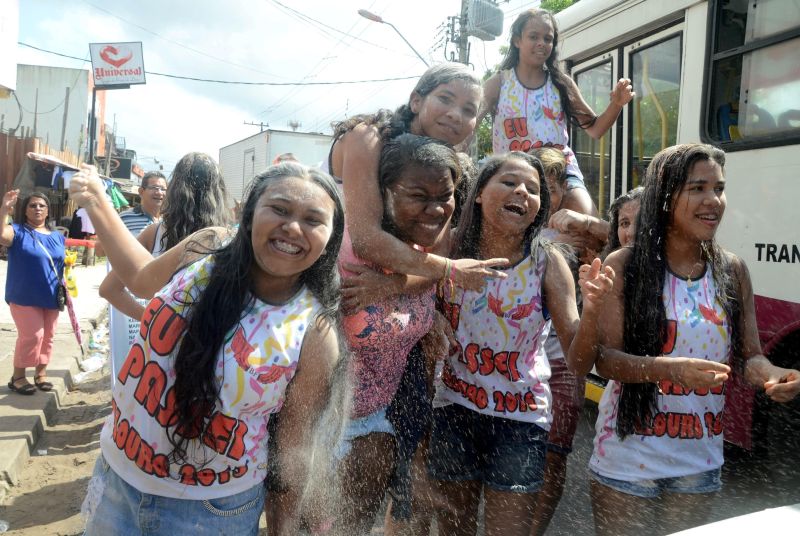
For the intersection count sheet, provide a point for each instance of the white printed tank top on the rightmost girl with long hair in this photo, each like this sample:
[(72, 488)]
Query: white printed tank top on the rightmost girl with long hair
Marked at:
[(685, 436)]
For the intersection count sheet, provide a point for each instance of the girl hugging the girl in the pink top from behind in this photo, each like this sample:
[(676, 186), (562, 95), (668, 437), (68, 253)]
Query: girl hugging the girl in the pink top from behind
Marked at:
[(444, 106)]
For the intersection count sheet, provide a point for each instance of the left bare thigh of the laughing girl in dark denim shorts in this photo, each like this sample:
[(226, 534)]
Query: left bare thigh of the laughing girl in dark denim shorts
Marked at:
[(459, 515)]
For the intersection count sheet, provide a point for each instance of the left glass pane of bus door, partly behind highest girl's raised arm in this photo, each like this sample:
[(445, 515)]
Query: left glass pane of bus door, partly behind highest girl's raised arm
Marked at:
[(594, 156)]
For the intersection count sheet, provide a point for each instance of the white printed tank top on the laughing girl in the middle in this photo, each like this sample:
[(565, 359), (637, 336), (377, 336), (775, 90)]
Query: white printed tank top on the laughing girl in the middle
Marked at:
[(499, 367)]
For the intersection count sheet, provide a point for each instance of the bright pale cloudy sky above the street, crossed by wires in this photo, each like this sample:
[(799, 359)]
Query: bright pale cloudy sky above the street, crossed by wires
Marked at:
[(247, 40)]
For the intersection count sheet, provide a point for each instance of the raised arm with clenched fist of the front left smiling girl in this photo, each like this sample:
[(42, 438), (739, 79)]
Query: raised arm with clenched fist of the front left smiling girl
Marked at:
[(133, 264)]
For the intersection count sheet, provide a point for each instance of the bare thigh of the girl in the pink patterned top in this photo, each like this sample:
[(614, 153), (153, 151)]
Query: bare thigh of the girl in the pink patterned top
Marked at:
[(365, 476)]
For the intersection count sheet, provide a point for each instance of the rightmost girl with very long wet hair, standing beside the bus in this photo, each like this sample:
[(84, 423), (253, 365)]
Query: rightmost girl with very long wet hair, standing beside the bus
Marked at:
[(679, 318)]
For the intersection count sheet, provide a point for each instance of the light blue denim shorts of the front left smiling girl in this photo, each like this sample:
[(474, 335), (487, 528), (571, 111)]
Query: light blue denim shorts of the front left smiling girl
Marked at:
[(112, 506)]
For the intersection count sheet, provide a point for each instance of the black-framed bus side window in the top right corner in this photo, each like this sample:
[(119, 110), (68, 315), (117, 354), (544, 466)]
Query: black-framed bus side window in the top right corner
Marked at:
[(755, 76)]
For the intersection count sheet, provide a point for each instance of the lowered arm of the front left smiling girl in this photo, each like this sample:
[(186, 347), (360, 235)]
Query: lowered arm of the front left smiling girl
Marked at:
[(306, 398)]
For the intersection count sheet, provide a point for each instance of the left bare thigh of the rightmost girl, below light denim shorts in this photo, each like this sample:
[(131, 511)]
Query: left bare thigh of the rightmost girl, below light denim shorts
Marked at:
[(621, 514)]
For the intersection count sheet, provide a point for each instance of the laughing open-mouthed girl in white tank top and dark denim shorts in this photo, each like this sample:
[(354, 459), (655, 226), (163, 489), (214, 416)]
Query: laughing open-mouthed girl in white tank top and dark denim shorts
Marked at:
[(489, 435)]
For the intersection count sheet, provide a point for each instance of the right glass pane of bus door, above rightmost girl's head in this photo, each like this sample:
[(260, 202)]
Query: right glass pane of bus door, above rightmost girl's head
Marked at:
[(655, 73)]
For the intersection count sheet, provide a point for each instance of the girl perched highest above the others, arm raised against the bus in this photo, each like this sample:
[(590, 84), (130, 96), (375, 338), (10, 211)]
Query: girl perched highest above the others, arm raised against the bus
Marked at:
[(533, 102)]
